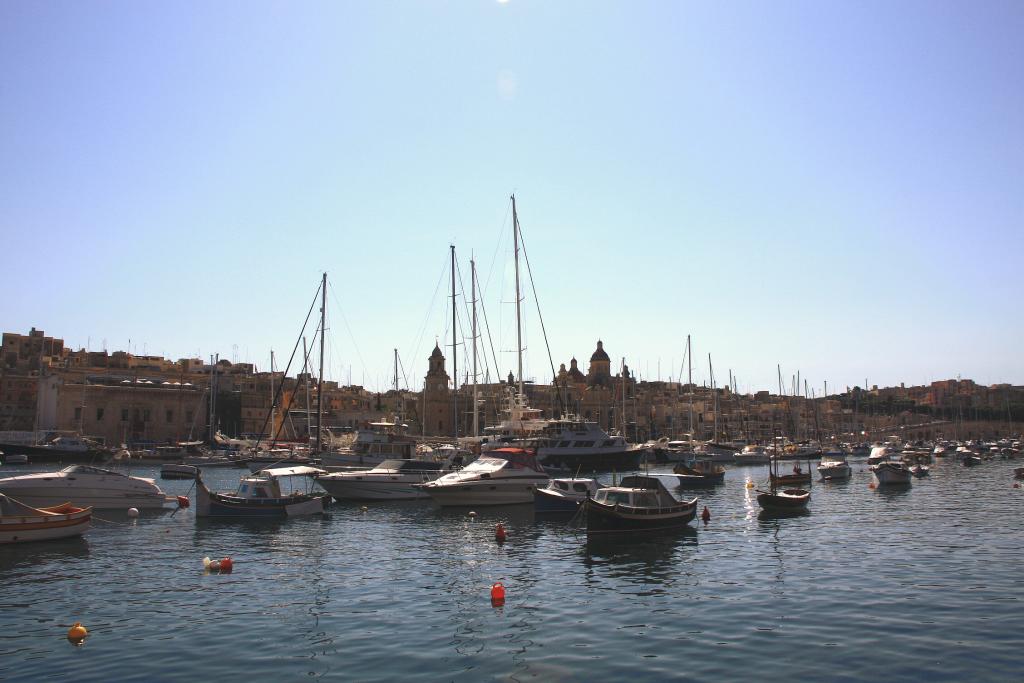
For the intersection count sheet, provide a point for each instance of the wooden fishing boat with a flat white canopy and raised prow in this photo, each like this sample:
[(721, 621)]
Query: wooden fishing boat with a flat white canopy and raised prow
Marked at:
[(261, 496)]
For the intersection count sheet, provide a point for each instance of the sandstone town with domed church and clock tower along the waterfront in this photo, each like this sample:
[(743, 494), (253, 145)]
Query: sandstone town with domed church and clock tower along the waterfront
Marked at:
[(120, 398)]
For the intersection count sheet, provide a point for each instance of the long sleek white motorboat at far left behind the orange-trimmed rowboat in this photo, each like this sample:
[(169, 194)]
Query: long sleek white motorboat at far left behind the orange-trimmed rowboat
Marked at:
[(86, 486)]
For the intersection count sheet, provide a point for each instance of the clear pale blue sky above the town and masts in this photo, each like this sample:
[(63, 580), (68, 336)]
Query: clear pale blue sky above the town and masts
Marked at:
[(832, 188)]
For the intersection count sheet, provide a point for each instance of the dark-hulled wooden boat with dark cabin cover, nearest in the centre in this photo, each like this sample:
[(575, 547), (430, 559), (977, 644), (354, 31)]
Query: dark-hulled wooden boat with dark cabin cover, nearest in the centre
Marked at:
[(641, 504)]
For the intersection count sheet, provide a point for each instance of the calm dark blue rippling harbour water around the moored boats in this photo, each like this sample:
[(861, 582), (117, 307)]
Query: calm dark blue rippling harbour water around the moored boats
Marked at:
[(915, 585)]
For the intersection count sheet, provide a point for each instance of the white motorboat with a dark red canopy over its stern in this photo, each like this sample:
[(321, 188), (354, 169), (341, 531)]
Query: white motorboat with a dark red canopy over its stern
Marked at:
[(504, 477)]
